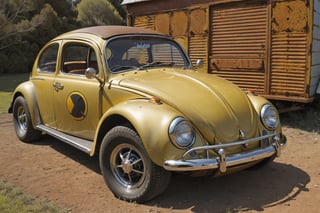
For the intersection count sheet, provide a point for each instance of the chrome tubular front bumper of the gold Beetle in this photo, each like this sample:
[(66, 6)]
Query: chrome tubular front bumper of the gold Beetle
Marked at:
[(221, 162)]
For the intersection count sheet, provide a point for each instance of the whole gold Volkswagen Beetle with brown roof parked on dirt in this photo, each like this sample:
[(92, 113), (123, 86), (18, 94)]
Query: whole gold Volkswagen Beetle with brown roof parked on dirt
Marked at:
[(131, 96)]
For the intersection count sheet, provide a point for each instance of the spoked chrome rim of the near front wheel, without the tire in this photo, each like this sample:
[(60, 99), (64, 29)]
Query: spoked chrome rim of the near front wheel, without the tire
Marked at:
[(128, 166)]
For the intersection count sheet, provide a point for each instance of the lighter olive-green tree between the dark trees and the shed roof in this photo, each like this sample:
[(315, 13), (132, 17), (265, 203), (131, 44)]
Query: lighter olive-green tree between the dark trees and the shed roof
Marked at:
[(98, 12)]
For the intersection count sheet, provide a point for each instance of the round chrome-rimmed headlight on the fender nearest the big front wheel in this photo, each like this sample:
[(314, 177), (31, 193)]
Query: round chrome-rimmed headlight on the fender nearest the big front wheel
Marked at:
[(181, 133)]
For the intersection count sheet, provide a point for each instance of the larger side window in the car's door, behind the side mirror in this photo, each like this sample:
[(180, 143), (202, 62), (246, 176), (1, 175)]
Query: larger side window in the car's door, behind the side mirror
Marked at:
[(77, 58)]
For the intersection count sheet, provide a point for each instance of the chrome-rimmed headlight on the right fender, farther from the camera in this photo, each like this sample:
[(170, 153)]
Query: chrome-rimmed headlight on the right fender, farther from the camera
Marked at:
[(270, 117)]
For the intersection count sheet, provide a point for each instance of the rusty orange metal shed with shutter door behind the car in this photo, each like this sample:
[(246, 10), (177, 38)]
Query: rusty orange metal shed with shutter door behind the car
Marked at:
[(270, 47)]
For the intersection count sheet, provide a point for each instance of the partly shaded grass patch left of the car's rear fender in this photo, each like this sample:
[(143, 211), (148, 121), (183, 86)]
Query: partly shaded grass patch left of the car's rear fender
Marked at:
[(7, 85)]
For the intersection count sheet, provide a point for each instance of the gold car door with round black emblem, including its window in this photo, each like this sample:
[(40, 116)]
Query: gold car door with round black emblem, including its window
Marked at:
[(76, 97)]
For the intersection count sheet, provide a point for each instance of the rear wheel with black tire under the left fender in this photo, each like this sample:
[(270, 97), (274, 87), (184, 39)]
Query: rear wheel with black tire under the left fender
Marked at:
[(22, 121)]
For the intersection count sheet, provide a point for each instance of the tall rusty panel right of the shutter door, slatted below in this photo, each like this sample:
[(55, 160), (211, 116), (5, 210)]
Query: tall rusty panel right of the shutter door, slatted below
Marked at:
[(289, 57)]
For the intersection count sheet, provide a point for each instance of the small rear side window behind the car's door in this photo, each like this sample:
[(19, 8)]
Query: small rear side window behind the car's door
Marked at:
[(48, 59)]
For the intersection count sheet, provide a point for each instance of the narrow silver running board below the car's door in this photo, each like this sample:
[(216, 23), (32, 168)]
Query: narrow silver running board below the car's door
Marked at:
[(79, 143)]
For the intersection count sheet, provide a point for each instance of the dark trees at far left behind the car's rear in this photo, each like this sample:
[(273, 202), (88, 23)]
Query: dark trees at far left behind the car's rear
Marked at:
[(26, 25)]
